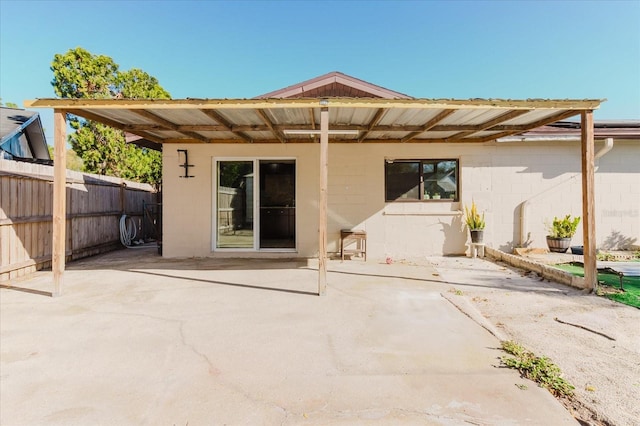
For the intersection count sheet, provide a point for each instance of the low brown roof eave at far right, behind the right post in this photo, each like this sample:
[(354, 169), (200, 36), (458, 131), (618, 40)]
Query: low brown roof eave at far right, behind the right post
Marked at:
[(617, 129)]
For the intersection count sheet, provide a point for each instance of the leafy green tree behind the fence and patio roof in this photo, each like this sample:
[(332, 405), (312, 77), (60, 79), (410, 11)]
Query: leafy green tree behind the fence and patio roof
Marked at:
[(103, 149)]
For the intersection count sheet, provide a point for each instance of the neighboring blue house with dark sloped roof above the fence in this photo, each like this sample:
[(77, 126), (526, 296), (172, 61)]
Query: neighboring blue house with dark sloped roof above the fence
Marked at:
[(22, 136)]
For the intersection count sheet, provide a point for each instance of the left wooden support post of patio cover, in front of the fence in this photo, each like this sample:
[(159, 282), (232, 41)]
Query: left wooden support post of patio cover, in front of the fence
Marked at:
[(59, 200)]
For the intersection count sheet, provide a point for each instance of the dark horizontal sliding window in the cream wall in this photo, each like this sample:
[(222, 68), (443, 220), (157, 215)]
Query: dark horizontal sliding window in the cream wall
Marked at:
[(413, 180)]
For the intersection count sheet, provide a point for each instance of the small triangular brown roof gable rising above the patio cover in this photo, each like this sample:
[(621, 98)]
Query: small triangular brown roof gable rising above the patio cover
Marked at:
[(334, 84)]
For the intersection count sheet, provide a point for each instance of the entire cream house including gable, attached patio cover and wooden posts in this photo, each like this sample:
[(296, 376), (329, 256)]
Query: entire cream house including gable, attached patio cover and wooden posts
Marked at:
[(282, 174)]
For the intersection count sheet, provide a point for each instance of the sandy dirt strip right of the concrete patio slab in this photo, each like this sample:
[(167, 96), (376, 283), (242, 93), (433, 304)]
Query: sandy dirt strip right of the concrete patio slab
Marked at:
[(594, 341)]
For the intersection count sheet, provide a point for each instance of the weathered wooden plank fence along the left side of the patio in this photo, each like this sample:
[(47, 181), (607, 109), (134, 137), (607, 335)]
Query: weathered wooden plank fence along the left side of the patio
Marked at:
[(94, 207)]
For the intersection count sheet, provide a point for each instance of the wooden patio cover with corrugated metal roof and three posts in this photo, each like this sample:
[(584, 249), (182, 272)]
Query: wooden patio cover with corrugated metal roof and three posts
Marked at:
[(309, 120)]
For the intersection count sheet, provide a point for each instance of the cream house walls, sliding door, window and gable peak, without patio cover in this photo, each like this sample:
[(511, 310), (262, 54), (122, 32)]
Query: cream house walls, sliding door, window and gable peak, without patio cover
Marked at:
[(534, 176)]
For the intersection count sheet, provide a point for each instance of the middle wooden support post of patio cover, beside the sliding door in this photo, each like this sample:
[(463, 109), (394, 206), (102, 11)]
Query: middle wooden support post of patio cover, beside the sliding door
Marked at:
[(322, 220)]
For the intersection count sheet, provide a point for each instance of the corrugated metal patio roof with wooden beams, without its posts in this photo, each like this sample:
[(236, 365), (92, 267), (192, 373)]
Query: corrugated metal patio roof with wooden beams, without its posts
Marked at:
[(375, 119)]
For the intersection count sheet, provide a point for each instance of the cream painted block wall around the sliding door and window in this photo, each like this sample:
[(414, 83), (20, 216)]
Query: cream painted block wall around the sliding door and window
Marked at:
[(499, 177)]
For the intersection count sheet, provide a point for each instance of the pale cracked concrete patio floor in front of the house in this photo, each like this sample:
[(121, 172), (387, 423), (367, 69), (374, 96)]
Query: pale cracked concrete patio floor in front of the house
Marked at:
[(137, 339)]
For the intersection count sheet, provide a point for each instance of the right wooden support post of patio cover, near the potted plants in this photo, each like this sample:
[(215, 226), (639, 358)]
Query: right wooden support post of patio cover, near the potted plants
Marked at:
[(588, 201)]
